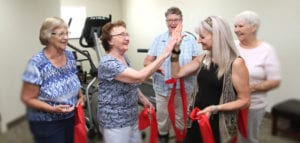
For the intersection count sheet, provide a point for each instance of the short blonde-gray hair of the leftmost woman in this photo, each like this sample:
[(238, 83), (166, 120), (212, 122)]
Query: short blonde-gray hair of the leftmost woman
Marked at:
[(48, 26)]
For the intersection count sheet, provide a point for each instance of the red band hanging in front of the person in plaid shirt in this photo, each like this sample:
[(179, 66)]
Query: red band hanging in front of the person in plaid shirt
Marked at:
[(180, 135)]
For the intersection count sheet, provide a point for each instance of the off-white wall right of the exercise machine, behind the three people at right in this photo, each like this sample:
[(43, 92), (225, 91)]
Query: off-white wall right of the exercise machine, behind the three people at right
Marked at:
[(280, 22)]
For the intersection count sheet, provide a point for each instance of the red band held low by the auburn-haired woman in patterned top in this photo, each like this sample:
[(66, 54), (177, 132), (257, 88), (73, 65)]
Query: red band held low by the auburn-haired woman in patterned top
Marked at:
[(147, 118)]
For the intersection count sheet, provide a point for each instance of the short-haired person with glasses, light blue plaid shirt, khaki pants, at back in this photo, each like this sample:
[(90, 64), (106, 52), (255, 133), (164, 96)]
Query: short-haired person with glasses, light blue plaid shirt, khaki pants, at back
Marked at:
[(188, 50)]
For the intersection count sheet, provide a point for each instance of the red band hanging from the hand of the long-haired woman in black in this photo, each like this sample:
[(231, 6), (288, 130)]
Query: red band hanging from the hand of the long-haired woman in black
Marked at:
[(204, 126)]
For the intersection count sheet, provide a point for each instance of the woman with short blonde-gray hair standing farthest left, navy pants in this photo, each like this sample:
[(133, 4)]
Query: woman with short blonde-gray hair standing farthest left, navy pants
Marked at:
[(51, 88)]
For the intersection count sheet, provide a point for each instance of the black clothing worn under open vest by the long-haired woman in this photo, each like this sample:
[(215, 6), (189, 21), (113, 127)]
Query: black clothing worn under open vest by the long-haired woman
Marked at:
[(209, 93)]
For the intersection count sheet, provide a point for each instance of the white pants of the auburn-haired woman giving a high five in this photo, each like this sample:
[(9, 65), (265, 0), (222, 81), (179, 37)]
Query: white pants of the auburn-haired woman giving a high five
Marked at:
[(130, 134)]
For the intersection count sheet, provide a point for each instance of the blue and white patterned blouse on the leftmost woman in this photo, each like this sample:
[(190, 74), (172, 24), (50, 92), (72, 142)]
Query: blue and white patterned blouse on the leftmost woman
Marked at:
[(58, 85)]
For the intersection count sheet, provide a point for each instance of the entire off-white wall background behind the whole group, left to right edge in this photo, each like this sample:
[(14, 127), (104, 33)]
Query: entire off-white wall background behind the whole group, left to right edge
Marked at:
[(20, 22)]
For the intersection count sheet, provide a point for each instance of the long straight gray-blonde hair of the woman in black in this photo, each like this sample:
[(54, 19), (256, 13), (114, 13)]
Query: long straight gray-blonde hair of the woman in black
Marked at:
[(224, 50)]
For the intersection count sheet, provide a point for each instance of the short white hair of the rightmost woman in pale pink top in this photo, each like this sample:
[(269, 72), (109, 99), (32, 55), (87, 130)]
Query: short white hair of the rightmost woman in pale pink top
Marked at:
[(250, 17)]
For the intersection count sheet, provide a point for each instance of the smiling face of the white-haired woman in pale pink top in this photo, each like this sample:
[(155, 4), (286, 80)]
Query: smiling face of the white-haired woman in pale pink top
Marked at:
[(243, 30)]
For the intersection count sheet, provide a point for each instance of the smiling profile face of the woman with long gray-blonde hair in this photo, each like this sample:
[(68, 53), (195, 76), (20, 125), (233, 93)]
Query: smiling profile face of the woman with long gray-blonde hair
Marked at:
[(205, 39)]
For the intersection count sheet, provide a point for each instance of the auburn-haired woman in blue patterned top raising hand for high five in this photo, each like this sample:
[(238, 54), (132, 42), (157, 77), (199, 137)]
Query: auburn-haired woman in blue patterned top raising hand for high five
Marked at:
[(118, 86)]
